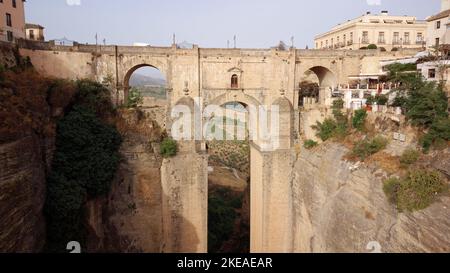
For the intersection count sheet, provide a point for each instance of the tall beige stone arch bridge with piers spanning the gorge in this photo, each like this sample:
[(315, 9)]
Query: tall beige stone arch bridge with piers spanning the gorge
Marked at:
[(218, 76)]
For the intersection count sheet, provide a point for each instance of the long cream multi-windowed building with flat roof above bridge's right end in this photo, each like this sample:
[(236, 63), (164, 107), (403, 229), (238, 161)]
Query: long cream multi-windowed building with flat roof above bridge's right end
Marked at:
[(383, 30)]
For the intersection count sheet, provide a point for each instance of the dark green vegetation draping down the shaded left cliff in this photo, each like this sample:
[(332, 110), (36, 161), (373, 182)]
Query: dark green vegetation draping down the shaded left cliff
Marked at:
[(84, 164)]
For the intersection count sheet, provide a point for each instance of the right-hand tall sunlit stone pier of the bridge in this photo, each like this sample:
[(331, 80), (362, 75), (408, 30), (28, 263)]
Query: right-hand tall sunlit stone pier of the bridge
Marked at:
[(271, 208)]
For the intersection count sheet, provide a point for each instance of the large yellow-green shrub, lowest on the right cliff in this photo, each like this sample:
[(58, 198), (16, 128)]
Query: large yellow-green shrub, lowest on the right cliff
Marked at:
[(417, 191)]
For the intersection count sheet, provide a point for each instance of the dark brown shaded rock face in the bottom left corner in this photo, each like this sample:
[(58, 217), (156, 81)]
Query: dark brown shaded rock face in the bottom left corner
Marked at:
[(23, 165)]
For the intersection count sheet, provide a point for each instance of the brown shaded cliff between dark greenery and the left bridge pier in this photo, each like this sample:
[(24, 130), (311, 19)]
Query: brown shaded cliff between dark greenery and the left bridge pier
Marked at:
[(129, 219)]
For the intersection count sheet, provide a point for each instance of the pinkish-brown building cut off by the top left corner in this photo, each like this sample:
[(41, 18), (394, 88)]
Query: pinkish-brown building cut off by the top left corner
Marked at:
[(12, 20)]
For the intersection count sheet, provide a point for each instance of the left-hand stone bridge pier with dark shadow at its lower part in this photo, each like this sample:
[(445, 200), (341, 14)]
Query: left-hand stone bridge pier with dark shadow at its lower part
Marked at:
[(184, 181)]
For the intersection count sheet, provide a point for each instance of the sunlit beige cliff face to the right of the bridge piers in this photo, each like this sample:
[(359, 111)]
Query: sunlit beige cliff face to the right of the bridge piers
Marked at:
[(339, 210)]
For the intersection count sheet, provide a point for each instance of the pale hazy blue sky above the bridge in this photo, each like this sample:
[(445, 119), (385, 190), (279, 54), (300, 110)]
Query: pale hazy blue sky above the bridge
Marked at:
[(208, 23)]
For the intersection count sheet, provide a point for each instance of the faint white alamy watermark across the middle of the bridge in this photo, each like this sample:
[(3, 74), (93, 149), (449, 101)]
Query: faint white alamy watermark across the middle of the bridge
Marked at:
[(260, 124)]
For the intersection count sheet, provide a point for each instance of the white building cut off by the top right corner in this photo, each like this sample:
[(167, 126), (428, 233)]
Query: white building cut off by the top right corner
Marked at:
[(438, 26)]
